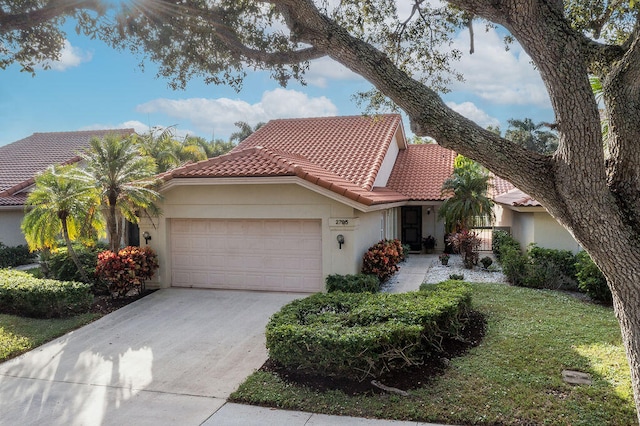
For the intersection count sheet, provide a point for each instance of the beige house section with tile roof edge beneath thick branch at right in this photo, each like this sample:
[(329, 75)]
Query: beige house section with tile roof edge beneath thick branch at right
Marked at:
[(529, 222)]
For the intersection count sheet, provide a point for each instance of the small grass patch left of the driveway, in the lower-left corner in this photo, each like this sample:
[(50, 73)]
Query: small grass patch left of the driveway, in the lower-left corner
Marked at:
[(20, 334)]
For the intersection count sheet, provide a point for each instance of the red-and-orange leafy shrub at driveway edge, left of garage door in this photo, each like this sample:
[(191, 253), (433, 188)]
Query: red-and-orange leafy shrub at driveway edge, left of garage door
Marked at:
[(127, 269)]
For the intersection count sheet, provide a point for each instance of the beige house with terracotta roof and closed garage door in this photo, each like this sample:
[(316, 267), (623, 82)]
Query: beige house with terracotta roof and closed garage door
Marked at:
[(267, 216)]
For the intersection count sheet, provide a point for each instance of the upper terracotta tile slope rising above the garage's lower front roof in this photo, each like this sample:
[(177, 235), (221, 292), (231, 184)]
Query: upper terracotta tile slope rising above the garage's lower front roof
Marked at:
[(352, 147)]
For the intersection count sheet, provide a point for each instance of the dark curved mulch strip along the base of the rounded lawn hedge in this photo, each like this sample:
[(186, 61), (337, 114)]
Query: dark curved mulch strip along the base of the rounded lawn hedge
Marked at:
[(406, 379)]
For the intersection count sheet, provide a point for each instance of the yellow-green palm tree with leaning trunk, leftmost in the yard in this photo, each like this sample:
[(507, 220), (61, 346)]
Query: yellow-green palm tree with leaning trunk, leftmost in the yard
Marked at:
[(62, 205)]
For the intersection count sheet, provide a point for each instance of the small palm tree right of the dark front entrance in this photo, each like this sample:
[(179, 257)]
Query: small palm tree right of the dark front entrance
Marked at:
[(468, 186)]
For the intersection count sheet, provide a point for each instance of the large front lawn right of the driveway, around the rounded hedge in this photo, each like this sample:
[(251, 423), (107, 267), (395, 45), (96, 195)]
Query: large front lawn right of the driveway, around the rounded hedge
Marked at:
[(512, 378)]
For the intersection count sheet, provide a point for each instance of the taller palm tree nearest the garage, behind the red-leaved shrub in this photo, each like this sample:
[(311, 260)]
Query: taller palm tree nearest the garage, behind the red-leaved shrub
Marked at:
[(124, 181)]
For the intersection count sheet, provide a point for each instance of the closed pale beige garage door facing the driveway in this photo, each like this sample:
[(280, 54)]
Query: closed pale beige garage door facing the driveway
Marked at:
[(276, 255)]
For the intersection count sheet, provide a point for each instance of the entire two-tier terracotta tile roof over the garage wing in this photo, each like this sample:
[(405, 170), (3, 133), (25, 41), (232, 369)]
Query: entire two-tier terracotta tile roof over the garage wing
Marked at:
[(341, 154)]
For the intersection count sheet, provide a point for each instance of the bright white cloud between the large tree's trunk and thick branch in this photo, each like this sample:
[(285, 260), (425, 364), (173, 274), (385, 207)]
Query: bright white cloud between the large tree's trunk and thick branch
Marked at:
[(498, 75)]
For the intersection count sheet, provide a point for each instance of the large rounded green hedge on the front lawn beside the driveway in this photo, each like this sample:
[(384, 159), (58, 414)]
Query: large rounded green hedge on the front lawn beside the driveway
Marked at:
[(365, 334)]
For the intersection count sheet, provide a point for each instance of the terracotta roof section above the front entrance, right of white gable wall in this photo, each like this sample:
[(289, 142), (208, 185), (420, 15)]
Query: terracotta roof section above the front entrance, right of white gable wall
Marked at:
[(420, 171)]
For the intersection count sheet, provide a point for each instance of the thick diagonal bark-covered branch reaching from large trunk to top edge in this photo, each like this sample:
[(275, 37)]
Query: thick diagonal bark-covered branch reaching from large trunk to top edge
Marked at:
[(429, 115)]
